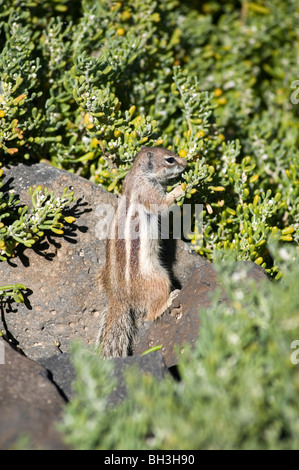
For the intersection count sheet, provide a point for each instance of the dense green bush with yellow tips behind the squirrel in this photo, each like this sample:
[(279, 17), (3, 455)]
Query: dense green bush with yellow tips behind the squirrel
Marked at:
[(85, 87)]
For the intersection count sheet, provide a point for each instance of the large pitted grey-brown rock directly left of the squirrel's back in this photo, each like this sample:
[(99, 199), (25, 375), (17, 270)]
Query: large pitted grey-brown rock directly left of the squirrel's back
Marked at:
[(63, 301)]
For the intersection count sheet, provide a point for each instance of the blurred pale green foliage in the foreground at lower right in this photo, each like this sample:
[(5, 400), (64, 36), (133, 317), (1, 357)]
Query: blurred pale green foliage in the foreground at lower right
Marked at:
[(238, 388)]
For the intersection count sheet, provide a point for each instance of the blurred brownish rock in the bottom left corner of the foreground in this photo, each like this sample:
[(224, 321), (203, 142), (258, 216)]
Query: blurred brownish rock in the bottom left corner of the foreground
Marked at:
[(30, 404)]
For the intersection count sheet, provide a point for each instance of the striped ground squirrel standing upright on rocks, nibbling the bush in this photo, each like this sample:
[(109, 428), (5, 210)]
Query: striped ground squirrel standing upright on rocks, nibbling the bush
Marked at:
[(137, 284)]
